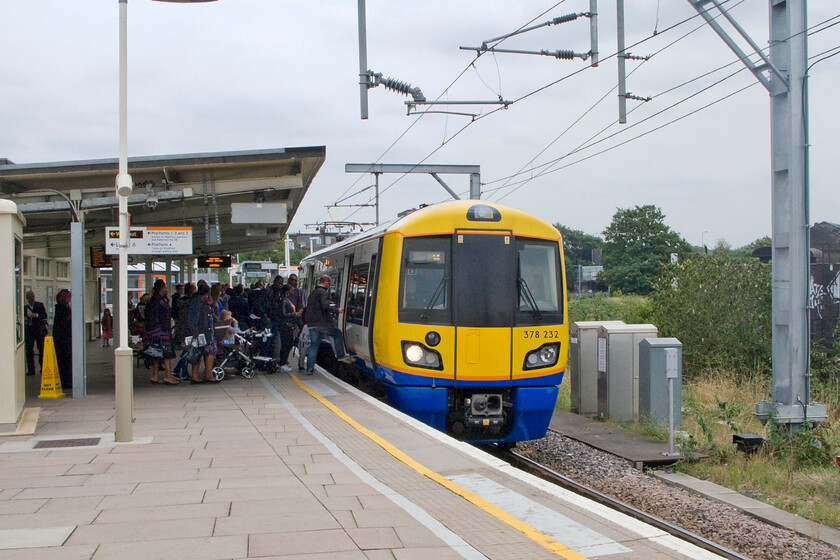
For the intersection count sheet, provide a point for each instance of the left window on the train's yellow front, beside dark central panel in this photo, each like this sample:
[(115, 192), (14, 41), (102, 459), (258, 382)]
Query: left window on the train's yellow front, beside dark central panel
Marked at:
[(425, 284)]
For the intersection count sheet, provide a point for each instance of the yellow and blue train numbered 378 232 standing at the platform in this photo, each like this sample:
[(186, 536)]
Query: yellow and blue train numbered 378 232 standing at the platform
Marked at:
[(460, 310)]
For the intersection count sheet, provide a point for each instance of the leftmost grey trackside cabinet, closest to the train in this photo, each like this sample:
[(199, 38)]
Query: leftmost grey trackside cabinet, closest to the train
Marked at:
[(583, 365)]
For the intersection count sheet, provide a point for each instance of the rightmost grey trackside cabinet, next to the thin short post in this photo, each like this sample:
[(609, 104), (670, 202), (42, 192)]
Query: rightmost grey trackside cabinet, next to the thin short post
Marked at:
[(660, 361)]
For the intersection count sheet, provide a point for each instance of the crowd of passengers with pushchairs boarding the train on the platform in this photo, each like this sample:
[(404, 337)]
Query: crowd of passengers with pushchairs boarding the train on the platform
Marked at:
[(201, 318)]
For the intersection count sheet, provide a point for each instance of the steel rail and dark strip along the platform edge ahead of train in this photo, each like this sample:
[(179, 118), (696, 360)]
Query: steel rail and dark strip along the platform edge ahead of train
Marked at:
[(554, 477)]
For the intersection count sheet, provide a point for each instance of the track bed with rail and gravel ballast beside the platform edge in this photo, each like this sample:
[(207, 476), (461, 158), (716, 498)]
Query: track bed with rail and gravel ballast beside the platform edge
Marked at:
[(736, 529)]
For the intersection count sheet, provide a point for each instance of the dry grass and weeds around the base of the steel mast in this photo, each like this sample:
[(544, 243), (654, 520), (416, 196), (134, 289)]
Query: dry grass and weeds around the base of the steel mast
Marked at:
[(796, 473)]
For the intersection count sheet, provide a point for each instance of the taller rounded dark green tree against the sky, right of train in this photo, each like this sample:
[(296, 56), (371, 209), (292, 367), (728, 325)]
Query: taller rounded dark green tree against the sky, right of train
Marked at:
[(637, 245)]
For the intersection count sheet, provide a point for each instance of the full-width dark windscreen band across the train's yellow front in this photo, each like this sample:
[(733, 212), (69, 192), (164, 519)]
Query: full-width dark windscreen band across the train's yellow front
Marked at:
[(480, 279)]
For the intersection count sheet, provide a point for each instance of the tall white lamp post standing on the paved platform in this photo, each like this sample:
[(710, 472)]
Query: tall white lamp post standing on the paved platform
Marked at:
[(123, 369)]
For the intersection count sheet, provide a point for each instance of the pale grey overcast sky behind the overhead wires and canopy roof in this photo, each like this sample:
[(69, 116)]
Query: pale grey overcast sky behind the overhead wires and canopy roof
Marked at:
[(259, 74)]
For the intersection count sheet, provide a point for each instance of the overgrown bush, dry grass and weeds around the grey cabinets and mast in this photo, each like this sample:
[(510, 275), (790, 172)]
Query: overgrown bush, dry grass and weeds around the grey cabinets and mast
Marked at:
[(719, 308)]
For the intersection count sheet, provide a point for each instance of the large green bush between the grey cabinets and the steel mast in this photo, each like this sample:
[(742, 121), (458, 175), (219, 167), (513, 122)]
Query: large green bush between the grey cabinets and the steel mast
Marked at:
[(719, 308)]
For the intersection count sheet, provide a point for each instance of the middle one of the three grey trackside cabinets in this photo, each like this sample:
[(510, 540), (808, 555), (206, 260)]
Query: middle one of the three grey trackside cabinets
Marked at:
[(618, 370)]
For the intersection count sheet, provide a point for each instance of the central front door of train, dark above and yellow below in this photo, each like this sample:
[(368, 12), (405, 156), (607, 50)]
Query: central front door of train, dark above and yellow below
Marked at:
[(481, 289)]
